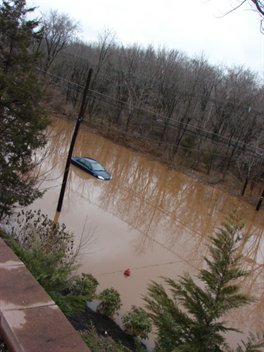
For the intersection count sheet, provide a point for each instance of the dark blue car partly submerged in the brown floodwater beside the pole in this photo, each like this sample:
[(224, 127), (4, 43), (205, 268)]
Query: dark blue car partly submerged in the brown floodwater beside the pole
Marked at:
[(92, 166)]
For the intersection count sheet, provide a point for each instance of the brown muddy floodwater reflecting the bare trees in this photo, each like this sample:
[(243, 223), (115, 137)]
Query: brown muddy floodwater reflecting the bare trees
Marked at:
[(148, 218)]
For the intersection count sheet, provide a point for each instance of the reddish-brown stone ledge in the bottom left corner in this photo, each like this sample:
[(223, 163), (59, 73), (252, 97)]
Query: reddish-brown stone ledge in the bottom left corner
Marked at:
[(29, 320)]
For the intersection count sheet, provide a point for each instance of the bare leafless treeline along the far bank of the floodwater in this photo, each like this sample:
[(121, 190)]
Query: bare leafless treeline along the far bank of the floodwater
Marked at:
[(179, 108)]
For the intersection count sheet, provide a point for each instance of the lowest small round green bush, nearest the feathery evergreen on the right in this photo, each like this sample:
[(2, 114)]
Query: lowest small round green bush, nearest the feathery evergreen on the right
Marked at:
[(137, 322)]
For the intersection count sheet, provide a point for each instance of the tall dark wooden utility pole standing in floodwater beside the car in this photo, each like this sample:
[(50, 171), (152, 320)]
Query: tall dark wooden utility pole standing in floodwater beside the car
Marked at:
[(74, 136)]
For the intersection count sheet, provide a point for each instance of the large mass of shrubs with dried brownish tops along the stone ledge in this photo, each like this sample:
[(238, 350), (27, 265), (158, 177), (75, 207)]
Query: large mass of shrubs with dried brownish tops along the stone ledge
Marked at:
[(47, 250)]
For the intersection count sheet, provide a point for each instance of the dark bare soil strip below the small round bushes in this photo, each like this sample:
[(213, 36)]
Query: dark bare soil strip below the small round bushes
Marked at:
[(104, 327)]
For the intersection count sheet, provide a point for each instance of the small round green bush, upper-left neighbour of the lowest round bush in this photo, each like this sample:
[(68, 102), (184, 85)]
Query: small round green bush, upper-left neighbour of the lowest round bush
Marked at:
[(110, 302)]
